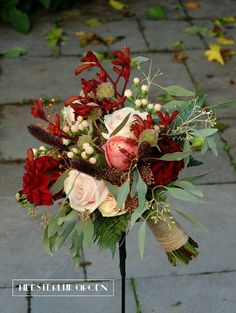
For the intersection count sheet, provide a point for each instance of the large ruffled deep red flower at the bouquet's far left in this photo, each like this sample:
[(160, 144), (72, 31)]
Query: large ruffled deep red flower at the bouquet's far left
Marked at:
[(40, 174)]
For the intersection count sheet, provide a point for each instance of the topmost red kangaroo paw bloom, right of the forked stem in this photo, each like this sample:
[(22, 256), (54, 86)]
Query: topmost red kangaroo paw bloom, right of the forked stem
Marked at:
[(122, 60)]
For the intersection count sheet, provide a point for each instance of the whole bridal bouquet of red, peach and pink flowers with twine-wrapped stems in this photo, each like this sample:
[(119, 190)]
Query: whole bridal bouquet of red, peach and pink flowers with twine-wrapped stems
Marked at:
[(112, 157)]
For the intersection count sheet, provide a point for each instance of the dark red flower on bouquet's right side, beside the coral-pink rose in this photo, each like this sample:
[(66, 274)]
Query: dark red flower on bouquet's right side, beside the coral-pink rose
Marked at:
[(165, 172)]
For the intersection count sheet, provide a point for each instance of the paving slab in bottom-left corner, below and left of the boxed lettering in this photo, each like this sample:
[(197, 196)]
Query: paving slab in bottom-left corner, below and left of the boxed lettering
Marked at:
[(12, 304)]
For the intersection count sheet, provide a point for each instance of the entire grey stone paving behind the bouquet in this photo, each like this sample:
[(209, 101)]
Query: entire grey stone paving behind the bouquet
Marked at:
[(208, 283)]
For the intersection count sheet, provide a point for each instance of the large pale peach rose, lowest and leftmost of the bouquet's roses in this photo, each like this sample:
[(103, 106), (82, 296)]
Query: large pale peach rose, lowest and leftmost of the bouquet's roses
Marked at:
[(84, 192)]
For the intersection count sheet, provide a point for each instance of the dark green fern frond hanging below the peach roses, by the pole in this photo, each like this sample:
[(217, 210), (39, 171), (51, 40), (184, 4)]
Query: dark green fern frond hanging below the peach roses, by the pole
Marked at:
[(108, 230)]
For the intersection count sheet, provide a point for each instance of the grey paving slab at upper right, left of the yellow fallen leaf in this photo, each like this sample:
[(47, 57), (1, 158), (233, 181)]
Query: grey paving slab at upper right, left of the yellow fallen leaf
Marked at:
[(161, 35)]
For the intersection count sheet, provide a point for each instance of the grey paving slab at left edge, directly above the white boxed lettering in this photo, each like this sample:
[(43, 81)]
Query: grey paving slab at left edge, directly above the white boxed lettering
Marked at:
[(21, 250)]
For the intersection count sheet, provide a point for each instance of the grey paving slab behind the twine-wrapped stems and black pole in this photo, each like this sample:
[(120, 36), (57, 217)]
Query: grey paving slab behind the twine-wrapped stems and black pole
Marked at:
[(216, 254)]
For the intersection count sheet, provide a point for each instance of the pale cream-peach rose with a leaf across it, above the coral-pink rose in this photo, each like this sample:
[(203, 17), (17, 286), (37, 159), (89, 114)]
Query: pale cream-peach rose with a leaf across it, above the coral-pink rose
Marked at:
[(112, 121)]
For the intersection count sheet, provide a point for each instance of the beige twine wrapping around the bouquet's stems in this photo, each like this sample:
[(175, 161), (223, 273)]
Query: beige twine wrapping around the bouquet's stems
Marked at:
[(170, 237)]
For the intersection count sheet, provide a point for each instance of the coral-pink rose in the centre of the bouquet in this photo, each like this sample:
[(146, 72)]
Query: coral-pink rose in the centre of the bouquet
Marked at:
[(120, 151)]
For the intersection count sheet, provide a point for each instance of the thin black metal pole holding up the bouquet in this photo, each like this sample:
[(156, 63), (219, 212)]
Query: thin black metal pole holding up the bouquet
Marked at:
[(122, 254)]
